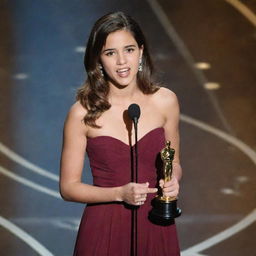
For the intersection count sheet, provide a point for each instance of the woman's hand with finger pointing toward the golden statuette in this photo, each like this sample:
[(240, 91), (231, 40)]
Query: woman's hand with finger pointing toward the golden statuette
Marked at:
[(135, 193)]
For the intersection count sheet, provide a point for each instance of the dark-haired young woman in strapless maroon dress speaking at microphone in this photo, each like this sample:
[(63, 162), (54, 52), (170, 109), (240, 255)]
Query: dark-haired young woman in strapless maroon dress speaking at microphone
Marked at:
[(119, 73)]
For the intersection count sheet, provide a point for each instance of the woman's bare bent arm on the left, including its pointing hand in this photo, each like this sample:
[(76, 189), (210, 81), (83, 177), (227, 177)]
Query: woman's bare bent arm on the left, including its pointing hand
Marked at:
[(72, 162)]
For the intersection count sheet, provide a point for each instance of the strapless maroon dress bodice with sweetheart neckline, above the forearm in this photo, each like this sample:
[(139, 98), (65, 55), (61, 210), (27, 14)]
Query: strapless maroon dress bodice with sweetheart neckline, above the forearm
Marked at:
[(111, 159)]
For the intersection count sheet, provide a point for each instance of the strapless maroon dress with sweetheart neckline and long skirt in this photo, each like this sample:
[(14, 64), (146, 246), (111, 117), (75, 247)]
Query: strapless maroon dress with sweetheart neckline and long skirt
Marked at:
[(105, 228)]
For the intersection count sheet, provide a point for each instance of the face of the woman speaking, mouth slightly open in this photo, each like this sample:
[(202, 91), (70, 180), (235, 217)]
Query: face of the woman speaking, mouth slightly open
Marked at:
[(120, 58)]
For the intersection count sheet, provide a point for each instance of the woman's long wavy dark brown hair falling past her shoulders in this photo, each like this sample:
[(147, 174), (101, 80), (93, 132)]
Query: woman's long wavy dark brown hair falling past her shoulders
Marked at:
[(93, 94)]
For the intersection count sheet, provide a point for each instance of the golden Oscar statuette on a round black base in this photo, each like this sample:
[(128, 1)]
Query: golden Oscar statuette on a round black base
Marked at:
[(165, 207)]
